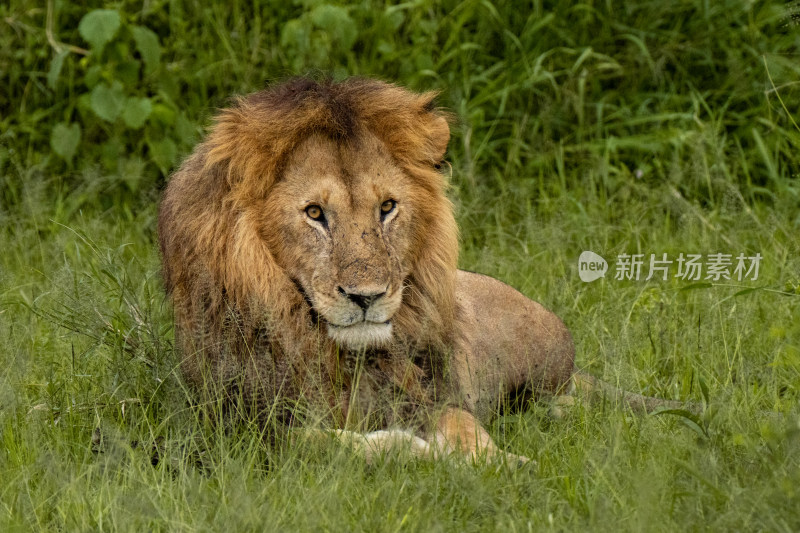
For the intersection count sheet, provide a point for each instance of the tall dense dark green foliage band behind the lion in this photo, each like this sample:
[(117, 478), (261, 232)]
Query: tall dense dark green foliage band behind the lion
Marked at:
[(553, 89)]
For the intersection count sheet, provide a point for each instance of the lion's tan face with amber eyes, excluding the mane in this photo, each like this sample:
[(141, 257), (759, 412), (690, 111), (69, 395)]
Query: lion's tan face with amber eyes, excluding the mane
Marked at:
[(342, 224)]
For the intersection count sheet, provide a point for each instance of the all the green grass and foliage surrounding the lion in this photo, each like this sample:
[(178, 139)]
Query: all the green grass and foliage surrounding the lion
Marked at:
[(612, 126)]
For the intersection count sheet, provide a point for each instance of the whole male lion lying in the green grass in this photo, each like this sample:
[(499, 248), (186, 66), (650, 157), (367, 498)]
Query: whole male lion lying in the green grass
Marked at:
[(310, 251)]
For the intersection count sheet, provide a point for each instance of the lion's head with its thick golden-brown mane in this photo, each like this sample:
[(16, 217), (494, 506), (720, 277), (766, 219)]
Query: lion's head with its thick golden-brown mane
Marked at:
[(314, 210)]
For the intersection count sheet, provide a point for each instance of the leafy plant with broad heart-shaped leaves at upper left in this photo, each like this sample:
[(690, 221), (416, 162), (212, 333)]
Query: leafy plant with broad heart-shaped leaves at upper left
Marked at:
[(121, 107)]
